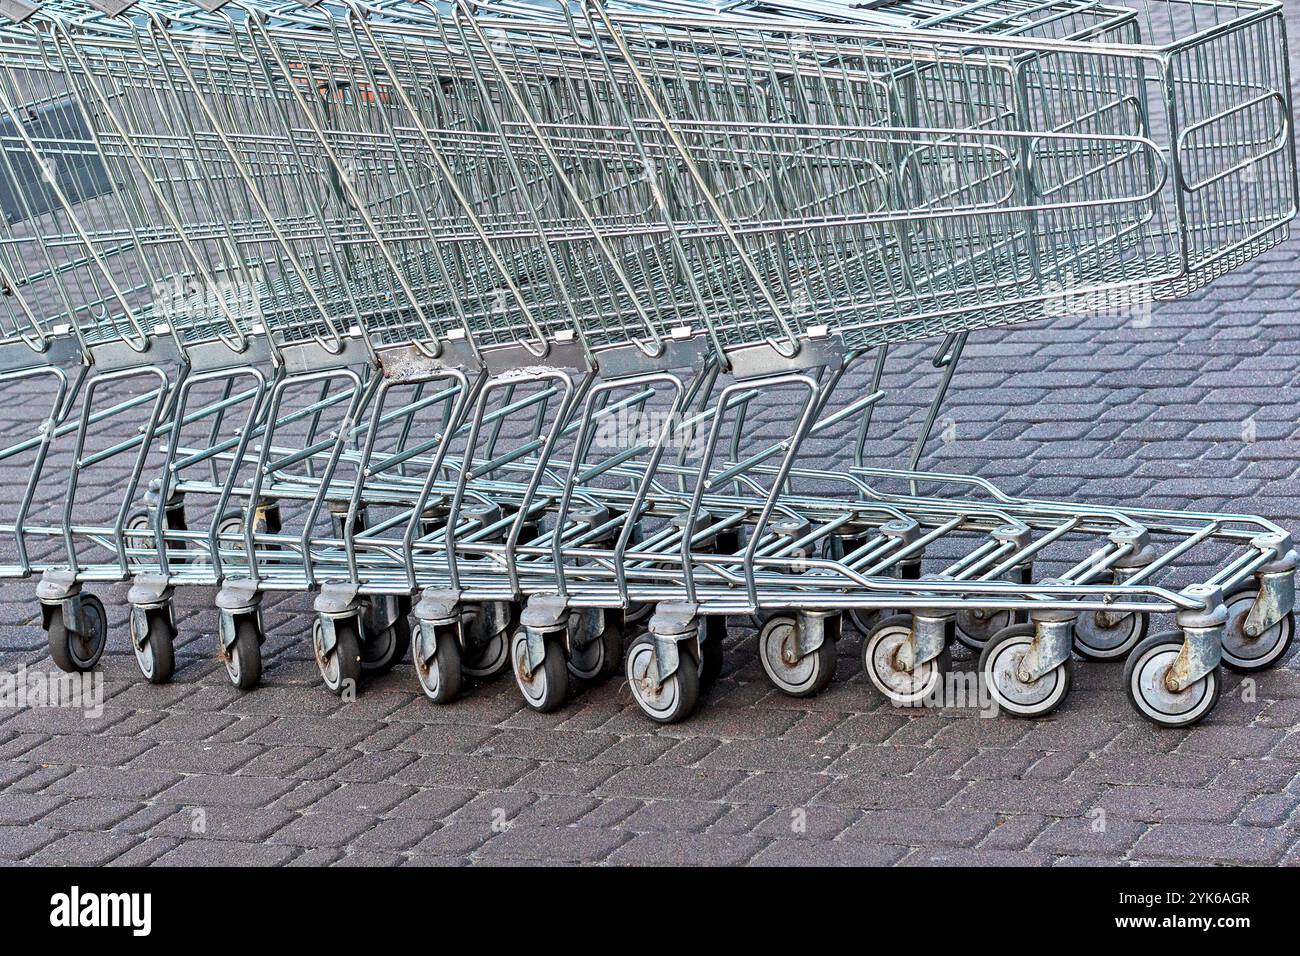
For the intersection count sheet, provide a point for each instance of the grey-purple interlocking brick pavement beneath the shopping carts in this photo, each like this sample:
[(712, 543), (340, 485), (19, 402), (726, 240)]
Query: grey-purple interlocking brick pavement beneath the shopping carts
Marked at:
[(1194, 405)]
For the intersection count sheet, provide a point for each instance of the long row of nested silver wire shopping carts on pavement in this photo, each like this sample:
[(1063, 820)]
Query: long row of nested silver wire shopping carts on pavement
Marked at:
[(484, 201)]
